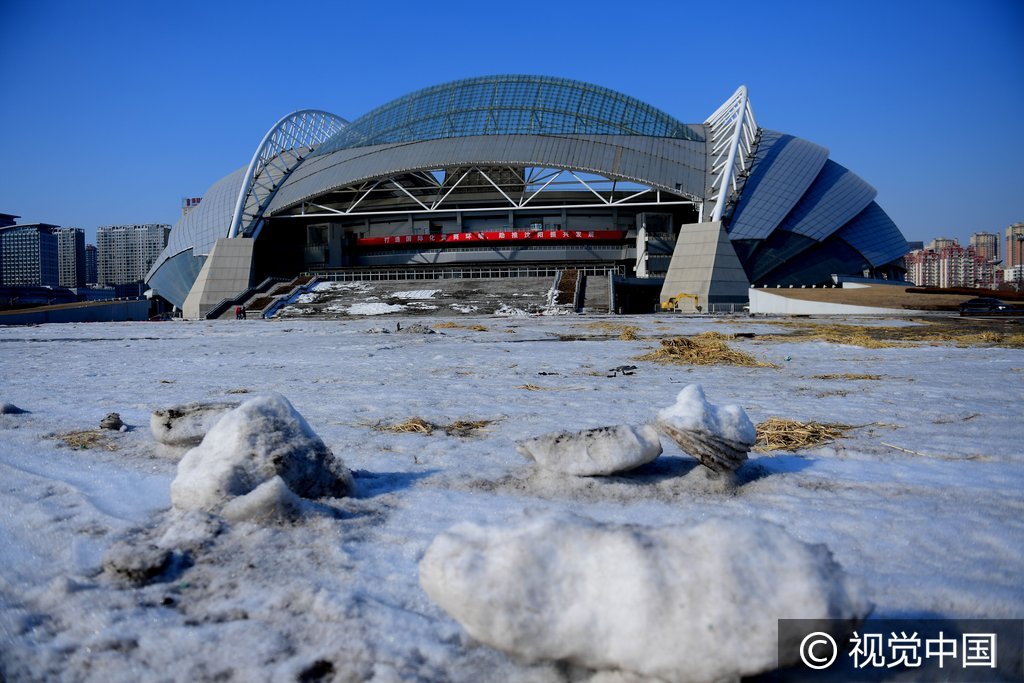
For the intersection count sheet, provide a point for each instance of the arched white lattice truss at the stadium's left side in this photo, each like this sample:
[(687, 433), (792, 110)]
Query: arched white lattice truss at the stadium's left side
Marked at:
[(282, 150)]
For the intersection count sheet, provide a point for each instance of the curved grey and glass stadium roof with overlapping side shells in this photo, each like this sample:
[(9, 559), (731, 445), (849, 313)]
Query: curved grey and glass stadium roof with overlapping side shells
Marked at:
[(791, 212)]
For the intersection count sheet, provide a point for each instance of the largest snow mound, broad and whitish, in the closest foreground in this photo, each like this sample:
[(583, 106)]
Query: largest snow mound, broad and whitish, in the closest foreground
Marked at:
[(570, 589)]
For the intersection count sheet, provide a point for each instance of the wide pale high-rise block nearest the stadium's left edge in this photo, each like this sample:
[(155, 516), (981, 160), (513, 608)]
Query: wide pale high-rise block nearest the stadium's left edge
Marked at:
[(125, 253)]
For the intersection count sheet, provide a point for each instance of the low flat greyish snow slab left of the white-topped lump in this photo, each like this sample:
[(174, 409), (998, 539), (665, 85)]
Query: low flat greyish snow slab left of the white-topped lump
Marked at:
[(594, 452)]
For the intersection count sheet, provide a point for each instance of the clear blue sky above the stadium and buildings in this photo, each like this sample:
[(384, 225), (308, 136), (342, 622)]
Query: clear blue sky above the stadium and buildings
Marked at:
[(112, 112)]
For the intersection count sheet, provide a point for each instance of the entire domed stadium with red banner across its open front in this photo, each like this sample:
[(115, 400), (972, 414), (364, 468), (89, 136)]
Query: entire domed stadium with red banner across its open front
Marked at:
[(516, 177)]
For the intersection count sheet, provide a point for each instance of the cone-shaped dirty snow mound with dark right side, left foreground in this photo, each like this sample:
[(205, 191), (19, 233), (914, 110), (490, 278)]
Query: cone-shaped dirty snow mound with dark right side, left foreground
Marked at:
[(243, 455)]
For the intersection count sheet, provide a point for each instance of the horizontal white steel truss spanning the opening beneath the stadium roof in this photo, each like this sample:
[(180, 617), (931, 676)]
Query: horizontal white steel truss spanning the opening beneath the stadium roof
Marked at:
[(515, 188)]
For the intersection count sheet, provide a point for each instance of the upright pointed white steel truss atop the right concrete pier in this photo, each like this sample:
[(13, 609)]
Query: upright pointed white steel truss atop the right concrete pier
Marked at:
[(733, 139)]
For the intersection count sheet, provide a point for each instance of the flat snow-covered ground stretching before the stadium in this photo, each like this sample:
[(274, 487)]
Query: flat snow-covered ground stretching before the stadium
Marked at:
[(922, 505)]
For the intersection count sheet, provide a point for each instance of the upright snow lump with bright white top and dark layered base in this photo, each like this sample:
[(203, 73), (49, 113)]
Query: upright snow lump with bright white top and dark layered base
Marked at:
[(720, 437)]
